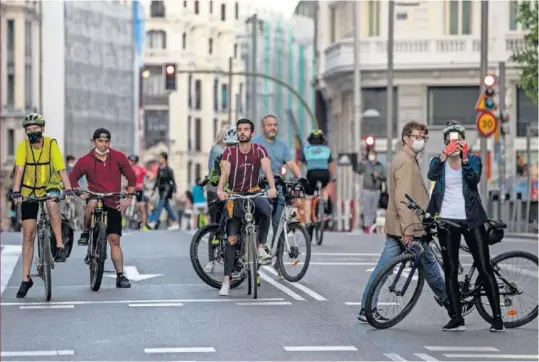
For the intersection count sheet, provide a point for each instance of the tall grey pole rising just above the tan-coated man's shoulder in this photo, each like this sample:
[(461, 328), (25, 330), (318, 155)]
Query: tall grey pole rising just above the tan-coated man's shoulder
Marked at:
[(389, 91)]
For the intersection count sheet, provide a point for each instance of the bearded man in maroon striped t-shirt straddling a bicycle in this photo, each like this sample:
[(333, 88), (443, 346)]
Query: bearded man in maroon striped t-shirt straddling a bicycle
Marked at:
[(240, 168)]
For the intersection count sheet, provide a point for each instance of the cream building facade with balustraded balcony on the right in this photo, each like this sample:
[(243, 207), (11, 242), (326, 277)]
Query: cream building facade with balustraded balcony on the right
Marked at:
[(436, 77)]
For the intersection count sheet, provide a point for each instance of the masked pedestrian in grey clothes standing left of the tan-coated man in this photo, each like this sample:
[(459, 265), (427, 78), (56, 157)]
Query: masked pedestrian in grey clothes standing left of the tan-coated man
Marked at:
[(374, 175)]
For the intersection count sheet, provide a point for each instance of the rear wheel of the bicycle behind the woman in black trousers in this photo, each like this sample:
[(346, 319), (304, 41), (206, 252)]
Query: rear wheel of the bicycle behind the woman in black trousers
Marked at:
[(512, 295)]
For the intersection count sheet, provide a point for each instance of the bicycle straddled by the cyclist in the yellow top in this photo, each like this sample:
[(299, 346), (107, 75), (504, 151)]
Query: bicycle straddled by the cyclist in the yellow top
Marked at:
[(45, 258)]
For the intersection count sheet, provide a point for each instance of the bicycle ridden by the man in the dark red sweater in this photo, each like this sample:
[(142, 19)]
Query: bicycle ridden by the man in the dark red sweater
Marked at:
[(97, 241)]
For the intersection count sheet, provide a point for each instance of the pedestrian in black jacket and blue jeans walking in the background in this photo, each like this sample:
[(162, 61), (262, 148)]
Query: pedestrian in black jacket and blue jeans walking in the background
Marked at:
[(165, 185)]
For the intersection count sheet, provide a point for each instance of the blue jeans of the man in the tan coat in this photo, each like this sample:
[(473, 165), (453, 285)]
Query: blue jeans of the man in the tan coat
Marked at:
[(392, 249)]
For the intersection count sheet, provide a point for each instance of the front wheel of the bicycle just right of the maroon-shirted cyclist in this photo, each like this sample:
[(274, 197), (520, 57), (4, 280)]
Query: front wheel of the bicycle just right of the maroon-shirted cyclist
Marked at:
[(292, 251)]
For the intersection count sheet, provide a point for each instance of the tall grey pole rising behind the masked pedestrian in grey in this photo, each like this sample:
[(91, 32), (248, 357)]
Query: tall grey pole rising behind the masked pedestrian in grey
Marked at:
[(357, 107)]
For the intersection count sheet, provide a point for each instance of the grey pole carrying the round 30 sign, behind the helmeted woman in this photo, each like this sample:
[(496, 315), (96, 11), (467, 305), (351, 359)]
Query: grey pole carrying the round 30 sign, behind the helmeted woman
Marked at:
[(483, 186)]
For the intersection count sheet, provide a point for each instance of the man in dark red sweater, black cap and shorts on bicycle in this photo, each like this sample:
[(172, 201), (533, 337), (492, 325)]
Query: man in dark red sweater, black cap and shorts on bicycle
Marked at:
[(103, 168)]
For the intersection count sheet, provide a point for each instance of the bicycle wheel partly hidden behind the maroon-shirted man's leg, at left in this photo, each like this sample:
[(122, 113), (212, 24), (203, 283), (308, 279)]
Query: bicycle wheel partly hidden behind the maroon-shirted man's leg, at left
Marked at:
[(209, 231)]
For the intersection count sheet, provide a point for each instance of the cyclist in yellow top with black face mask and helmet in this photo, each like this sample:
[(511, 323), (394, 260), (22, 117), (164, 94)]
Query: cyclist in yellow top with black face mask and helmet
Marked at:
[(40, 170)]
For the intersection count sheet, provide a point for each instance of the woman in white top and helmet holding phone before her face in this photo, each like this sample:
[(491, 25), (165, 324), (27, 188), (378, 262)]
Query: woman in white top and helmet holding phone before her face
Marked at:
[(456, 197)]
